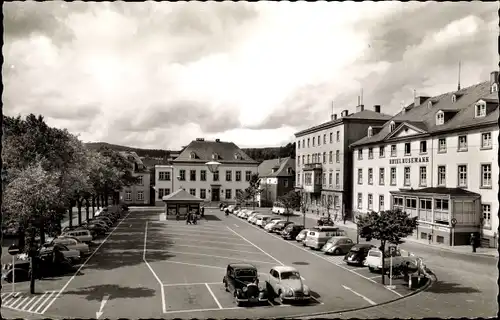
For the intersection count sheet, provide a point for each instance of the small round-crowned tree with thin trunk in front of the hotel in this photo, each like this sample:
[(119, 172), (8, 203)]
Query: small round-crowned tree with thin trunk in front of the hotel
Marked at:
[(387, 226)]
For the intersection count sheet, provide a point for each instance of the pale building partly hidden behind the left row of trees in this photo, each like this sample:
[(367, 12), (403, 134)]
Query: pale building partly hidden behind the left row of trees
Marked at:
[(137, 194)]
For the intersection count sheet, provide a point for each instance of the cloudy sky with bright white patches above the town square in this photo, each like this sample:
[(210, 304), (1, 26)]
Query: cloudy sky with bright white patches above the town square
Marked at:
[(157, 75)]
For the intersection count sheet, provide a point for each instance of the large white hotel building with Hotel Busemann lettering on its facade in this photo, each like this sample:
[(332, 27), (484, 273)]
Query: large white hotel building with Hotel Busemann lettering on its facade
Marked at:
[(436, 159)]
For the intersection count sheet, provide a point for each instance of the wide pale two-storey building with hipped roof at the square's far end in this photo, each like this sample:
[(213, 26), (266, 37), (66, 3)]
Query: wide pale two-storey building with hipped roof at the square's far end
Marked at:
[(190, 172)]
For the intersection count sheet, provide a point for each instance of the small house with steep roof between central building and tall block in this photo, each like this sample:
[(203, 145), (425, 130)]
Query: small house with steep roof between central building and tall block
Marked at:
[(277, 178)]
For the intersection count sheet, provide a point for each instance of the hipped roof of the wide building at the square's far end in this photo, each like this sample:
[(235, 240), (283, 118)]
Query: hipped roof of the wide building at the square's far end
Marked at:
[(203, 151)]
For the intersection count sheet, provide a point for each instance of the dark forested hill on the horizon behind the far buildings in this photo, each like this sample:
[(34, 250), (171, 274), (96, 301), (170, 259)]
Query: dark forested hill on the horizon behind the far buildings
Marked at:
[(258, 154)]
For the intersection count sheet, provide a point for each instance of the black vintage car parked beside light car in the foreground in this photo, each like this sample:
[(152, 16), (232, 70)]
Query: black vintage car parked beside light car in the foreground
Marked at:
[(242, 280)]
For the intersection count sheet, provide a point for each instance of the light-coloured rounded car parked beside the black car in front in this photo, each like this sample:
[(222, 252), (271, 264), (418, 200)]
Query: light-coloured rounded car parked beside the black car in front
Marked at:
[(286, 283)]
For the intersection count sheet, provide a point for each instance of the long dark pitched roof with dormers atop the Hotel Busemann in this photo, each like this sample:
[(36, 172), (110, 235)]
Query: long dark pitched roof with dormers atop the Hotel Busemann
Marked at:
[(424, 117)]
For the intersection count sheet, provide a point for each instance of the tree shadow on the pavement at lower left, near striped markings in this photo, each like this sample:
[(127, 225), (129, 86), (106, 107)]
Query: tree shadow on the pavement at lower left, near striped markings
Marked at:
[(113, 290)]
